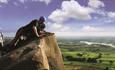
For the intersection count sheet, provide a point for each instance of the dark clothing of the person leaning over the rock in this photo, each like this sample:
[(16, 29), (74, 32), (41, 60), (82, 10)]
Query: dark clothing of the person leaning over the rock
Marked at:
[(26, 33)]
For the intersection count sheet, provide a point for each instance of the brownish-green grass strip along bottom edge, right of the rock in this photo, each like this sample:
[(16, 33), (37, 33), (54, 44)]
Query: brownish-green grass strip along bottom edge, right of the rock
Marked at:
[(82, 66)]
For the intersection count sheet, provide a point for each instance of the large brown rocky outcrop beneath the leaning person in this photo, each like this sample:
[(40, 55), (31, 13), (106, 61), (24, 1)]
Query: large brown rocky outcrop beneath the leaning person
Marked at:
[(37, 55)]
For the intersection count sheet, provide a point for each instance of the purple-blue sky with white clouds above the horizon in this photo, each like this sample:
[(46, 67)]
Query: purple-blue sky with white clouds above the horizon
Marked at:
[(63, 17)]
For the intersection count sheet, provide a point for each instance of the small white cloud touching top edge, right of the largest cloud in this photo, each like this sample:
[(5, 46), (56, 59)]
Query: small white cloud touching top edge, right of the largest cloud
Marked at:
[(96, 4)]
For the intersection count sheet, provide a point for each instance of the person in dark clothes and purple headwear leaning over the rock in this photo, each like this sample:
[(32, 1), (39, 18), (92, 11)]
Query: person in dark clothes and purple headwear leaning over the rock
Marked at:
[(35, 29)]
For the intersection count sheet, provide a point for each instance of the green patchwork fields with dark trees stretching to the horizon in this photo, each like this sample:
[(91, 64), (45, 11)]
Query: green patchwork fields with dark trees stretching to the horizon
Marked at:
[(81, 56)]
